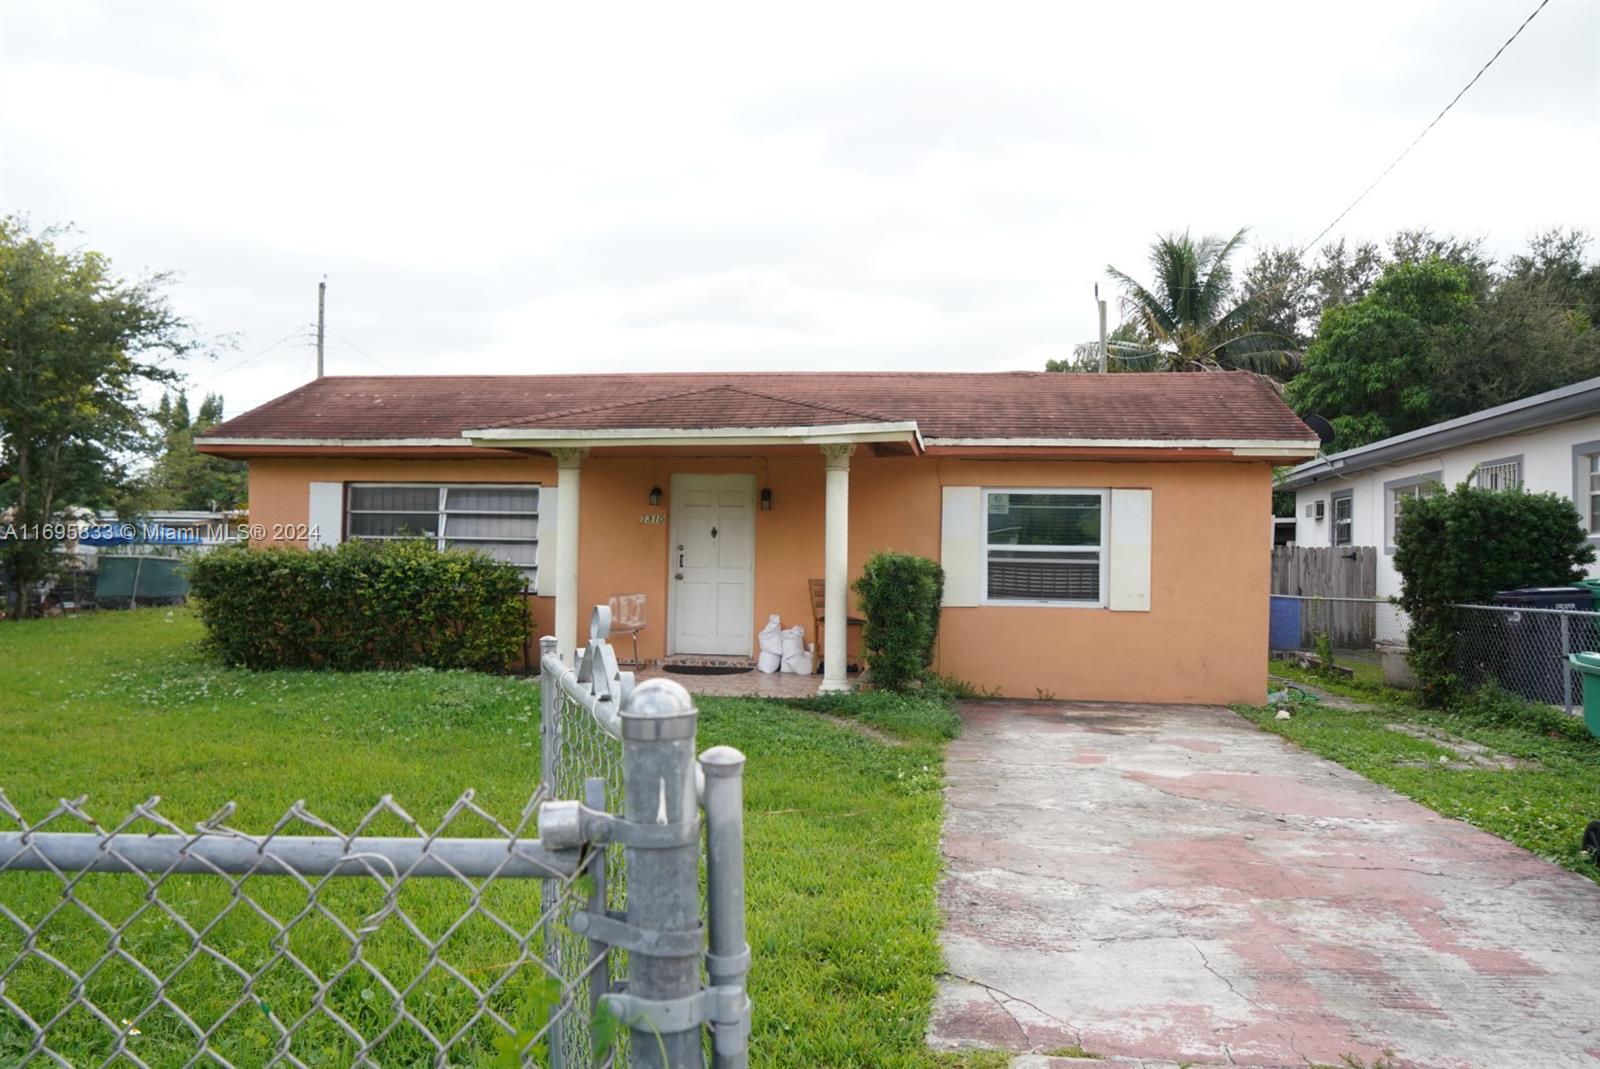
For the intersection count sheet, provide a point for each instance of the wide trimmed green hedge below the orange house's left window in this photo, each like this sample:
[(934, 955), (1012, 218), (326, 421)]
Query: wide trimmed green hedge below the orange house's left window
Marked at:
[(364, 606)]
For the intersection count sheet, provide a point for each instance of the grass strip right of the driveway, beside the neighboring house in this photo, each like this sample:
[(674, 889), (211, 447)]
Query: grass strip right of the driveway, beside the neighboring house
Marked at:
[(1543, 807)]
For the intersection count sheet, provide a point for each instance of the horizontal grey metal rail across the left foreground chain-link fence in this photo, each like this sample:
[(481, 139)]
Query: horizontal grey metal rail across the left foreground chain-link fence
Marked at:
[(284, 855)]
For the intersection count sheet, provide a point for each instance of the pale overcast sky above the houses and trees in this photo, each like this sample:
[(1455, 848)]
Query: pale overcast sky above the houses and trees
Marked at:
[(569, 188)]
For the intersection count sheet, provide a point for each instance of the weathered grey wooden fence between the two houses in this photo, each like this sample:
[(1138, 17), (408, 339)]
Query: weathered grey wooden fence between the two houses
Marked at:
[(1330, 572)]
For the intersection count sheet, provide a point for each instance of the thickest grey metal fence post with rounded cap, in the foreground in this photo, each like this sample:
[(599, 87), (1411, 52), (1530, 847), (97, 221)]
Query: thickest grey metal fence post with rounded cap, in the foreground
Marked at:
[(663, 1007)]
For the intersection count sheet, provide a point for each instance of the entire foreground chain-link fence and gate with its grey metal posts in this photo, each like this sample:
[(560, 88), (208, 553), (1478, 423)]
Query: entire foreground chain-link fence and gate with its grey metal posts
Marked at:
[(564, 939)]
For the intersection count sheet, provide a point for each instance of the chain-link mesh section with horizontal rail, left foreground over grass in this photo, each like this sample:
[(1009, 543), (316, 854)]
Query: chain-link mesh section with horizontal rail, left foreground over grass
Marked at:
[(306, 945)]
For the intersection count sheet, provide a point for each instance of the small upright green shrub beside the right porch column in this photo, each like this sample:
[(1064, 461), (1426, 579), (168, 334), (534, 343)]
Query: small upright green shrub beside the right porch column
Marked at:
[(900, 598)]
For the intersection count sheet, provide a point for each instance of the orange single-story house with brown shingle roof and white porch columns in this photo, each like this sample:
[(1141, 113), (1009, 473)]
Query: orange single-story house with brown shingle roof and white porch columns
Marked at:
[(1102, 535)]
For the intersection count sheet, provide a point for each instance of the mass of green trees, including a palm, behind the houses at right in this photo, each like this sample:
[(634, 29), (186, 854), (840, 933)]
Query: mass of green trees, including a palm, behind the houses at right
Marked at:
[(1378, 338)]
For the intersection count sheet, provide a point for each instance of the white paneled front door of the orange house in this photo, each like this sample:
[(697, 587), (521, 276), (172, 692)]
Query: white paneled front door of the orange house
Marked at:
[(713, 564)]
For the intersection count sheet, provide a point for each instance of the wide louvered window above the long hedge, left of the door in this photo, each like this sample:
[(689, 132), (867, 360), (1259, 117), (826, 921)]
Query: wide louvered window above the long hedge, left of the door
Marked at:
[(498, 521)]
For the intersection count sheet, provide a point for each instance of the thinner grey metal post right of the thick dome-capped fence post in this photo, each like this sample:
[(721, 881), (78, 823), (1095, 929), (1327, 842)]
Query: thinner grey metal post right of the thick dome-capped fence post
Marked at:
[(729, 955)]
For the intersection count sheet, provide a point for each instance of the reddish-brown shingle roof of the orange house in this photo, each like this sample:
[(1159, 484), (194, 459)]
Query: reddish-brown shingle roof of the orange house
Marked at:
[(1226, 406)]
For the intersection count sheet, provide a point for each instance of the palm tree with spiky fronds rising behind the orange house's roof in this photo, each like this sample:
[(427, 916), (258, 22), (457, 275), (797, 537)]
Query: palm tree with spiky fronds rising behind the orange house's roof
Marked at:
[(1191, 319)]
